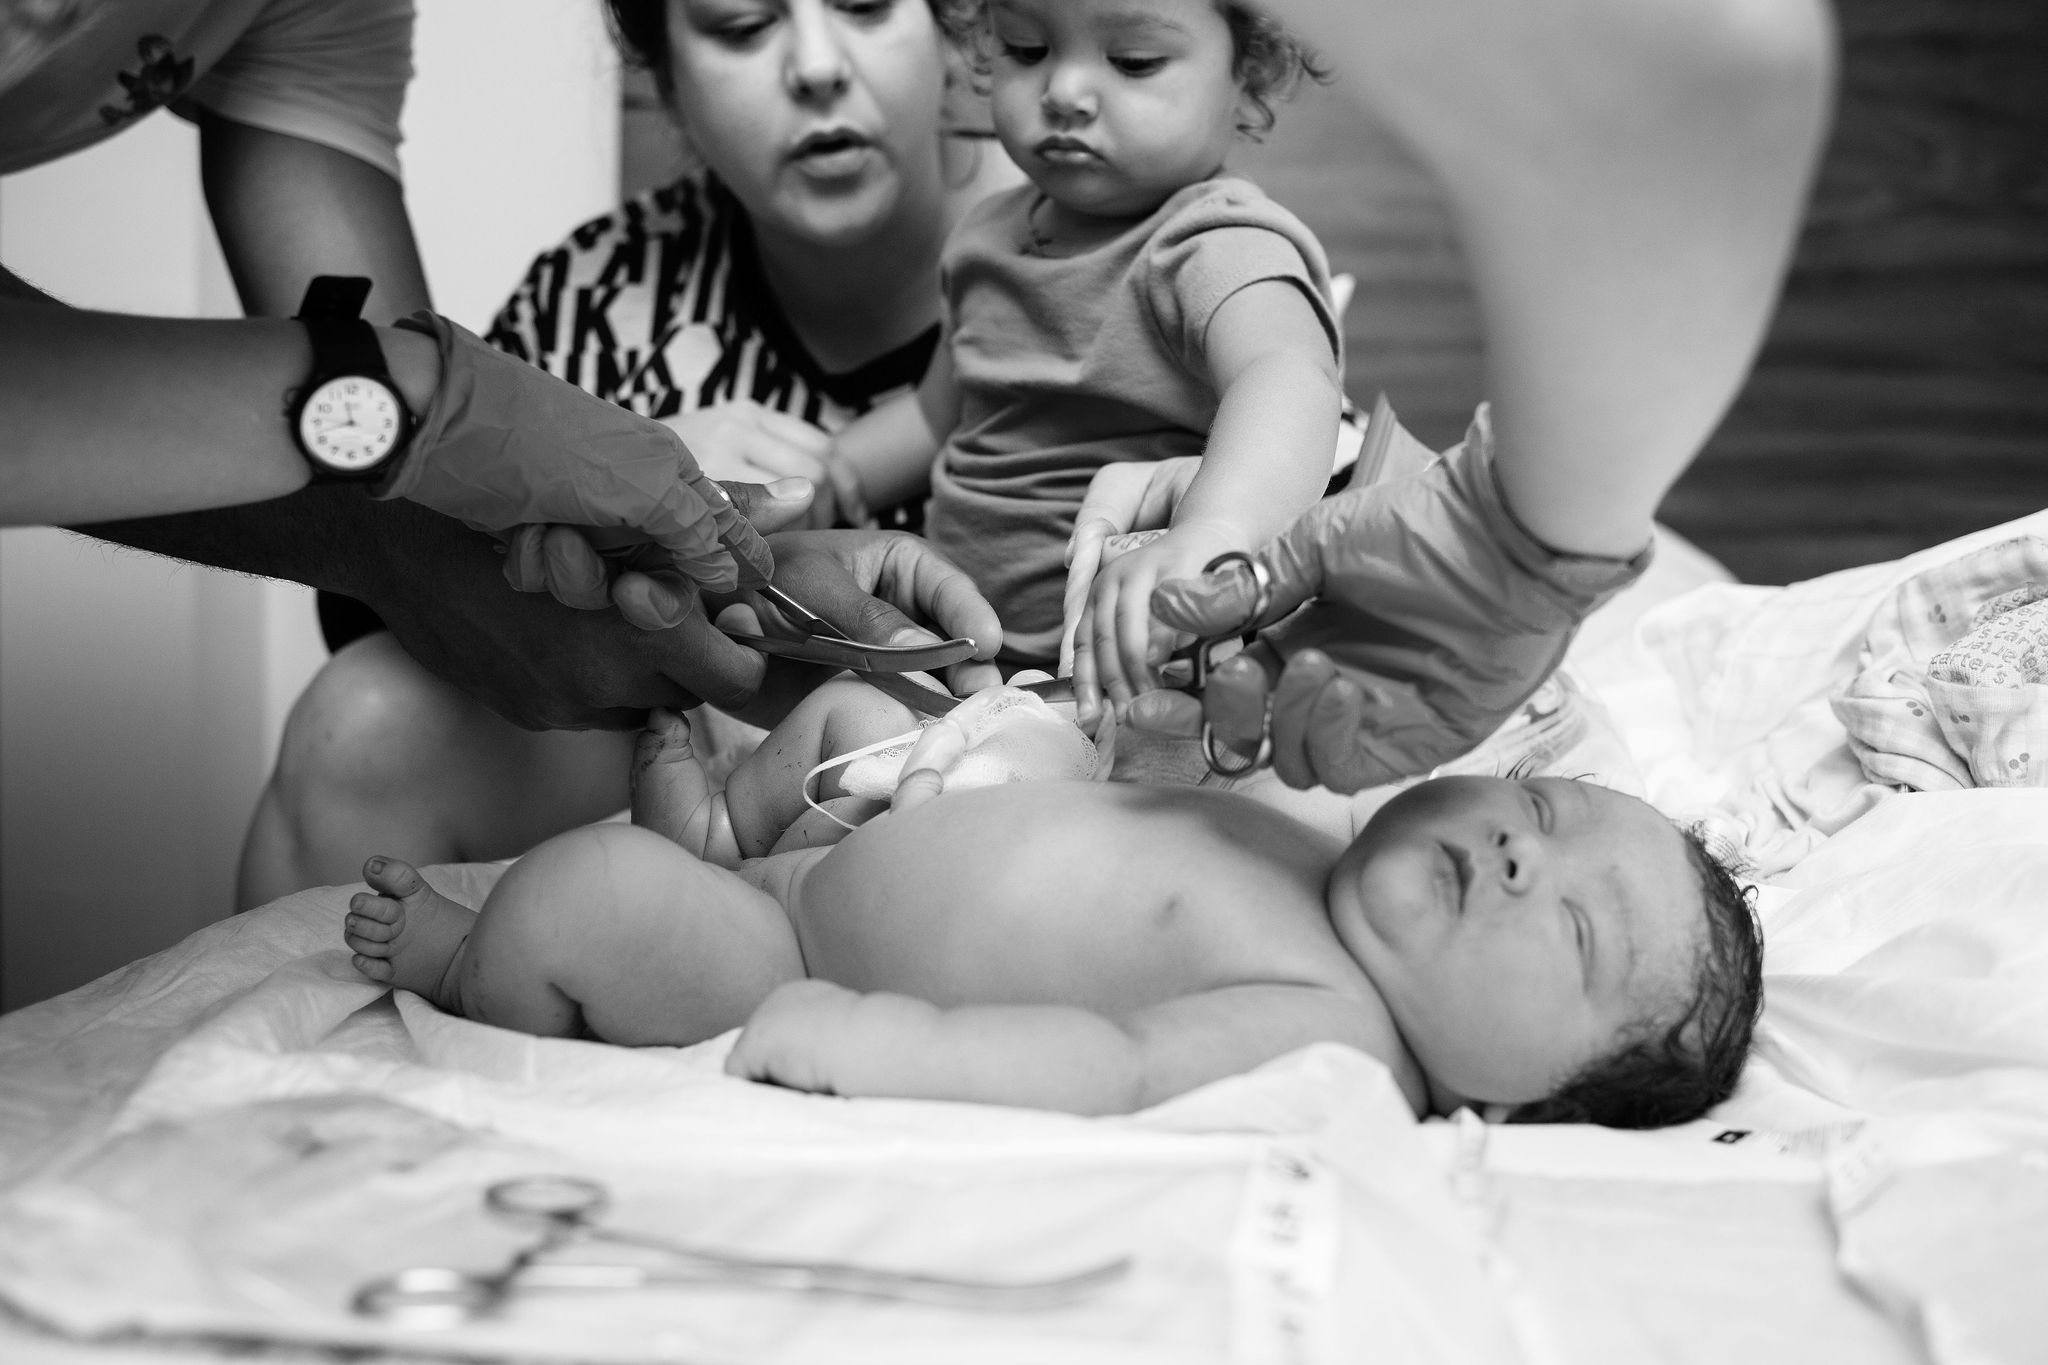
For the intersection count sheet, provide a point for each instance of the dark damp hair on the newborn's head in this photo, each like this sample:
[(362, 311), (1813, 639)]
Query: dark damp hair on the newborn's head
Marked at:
[(1674, 1069)]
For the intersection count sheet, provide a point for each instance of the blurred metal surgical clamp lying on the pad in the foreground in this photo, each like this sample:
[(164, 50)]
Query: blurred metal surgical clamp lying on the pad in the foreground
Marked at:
[(568, 1210)]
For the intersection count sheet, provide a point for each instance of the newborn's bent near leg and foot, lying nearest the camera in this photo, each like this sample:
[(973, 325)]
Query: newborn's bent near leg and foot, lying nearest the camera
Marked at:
[(609, 932)]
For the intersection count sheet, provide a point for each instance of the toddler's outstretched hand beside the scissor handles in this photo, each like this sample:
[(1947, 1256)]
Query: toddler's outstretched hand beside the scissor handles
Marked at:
[(1117, 642)]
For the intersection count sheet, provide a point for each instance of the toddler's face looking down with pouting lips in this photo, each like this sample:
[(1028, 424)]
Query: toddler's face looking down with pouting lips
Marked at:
[(1113, 105)]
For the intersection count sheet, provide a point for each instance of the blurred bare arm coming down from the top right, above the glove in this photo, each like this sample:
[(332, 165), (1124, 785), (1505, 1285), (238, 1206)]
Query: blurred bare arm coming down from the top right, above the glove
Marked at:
[(1627, 181)]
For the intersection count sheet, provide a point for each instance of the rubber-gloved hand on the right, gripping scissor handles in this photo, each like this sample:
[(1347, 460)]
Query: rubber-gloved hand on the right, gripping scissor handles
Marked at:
[(1435, 615)]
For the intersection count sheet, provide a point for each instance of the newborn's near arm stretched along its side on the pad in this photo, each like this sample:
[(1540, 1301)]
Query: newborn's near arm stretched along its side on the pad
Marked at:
[(818, 1037)]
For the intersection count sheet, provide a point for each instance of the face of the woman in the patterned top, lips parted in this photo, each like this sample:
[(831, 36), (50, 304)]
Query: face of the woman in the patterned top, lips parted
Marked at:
[(820, 116)]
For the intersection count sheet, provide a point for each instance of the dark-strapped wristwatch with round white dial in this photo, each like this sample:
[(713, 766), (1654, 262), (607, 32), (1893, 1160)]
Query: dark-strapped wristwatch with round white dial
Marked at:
[(349, 419)]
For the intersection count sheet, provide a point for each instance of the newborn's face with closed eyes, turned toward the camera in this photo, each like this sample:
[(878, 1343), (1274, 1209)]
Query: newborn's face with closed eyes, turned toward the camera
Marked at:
[(1517, 928)]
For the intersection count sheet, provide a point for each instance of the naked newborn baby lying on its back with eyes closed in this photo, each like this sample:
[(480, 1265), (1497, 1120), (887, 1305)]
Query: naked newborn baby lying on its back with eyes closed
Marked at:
[(1543, 944)]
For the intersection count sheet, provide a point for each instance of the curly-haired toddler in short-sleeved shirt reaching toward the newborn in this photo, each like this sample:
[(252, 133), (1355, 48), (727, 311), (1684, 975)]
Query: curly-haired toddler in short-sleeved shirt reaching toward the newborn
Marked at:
[(1129, 304)]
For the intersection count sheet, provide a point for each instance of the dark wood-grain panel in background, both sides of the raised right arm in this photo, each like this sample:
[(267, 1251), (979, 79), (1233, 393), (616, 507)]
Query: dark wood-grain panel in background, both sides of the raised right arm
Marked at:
[(1904, 392)]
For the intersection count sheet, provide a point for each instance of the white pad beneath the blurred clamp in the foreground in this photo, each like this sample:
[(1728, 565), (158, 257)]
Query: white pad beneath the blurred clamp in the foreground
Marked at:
[(308, 1133)]
